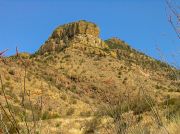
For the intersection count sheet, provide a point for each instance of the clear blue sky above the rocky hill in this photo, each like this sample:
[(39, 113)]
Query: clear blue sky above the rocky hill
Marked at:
[(141, 23)]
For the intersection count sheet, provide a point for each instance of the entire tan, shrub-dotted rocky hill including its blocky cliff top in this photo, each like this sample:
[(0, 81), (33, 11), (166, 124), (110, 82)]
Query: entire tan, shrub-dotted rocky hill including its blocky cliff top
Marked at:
[(77, 83)]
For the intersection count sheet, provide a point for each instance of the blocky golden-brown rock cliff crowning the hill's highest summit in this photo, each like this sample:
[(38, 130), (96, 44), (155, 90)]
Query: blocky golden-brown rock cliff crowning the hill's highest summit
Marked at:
[(77, 33)]
